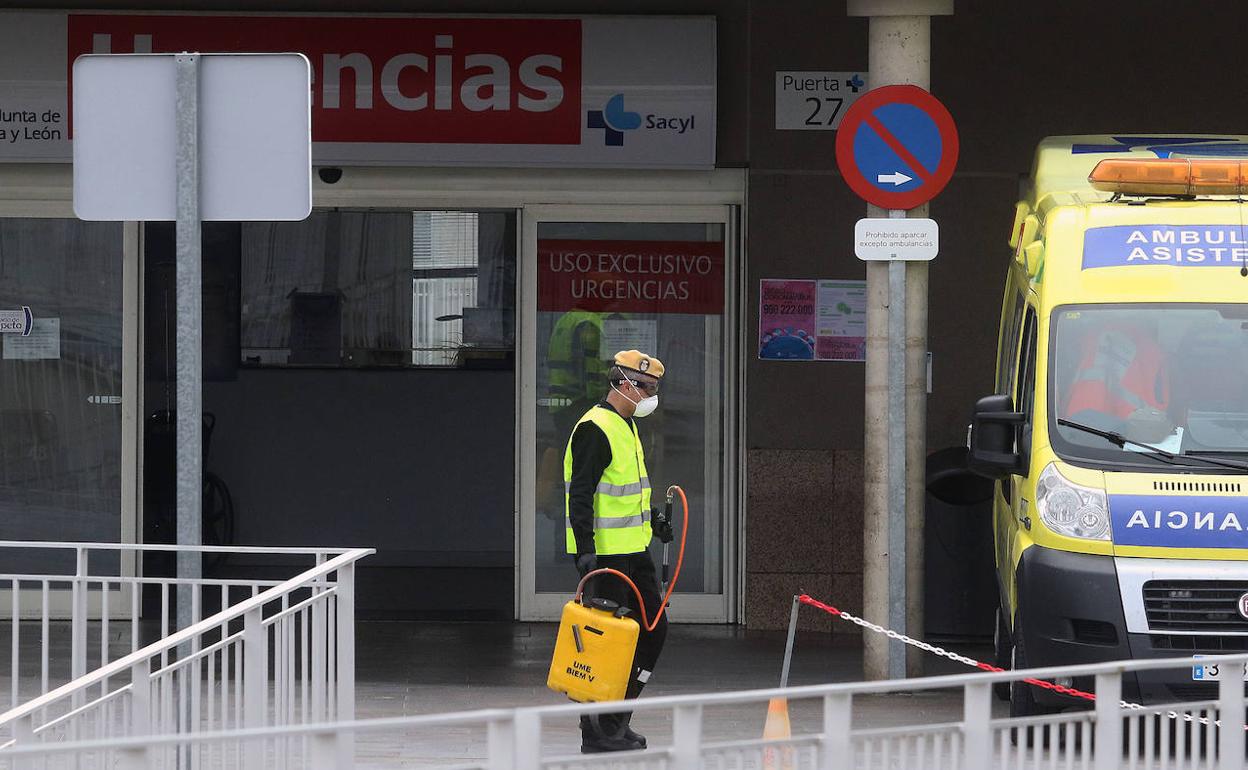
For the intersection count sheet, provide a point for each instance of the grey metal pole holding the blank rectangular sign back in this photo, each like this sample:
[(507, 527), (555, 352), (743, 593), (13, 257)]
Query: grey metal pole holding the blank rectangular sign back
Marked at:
[(190, 314)]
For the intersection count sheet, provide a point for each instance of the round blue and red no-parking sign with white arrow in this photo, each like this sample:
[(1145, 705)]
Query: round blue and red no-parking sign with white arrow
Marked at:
[(898, 148)]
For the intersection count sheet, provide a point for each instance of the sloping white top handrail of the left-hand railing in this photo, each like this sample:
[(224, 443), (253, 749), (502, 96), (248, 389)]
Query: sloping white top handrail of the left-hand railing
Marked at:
[(188, 635)]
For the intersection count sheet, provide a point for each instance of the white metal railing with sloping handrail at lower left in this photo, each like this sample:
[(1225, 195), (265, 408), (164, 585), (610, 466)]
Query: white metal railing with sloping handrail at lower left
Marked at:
[(276, 653)]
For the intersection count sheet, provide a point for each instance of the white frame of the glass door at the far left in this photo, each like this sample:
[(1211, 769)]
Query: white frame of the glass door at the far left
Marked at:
[(46, 193)]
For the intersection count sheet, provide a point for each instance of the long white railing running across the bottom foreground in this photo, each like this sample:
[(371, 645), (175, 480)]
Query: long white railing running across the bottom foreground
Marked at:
[(829, 734)]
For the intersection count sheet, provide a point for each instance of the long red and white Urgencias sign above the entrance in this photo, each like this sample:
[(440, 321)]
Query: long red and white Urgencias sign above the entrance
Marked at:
[(394, 90)]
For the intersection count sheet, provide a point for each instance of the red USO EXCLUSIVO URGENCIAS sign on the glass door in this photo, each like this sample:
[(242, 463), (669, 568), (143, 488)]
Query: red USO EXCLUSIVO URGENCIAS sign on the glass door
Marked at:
[(631, 276)]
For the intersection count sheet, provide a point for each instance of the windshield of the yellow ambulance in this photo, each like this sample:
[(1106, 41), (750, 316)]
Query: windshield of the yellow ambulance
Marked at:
[(1170, 376)]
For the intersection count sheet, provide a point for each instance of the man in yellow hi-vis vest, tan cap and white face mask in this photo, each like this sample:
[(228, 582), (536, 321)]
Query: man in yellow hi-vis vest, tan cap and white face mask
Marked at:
[(611, 524)]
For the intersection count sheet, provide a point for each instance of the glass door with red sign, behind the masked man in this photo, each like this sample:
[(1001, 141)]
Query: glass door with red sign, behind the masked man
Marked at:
[(600, 280)]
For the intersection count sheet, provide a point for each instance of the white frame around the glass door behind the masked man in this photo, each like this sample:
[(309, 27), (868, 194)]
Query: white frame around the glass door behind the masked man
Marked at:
[(695, 608)]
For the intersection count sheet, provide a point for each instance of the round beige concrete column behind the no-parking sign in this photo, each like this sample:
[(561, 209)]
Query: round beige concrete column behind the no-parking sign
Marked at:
[(899, 53)]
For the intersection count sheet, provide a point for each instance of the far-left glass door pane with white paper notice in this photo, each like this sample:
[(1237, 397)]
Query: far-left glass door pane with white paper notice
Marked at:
[(68, 390)]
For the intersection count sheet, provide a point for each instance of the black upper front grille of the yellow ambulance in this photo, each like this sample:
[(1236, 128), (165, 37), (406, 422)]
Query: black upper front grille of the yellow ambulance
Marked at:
[(1195, 606)]
